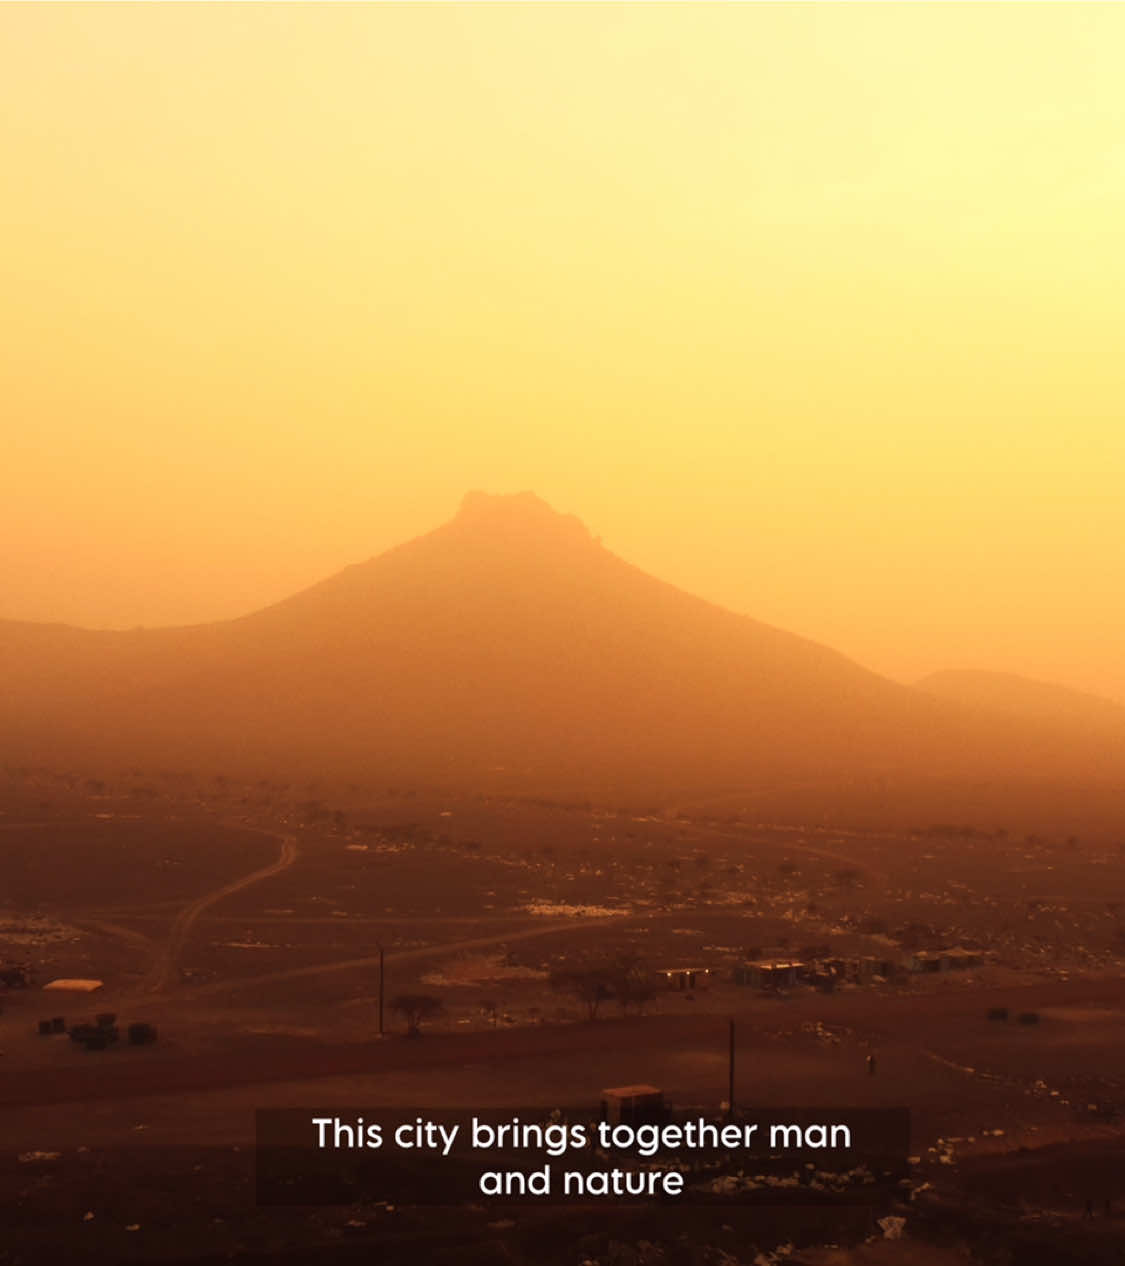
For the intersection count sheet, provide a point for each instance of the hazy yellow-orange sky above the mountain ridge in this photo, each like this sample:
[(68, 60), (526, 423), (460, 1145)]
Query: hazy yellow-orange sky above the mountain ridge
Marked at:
[(814, 311)]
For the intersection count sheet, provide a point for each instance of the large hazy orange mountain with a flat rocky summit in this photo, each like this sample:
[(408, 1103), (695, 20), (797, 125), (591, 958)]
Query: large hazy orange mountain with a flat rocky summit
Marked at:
[(507, 650)]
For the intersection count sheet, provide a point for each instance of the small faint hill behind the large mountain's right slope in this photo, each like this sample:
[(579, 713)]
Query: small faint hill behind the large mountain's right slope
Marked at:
[(1023, 697)]
